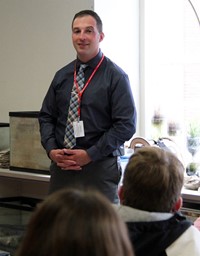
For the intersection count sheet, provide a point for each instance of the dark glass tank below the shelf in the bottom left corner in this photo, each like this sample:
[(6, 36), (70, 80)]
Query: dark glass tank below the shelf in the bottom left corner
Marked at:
[(15, 213)]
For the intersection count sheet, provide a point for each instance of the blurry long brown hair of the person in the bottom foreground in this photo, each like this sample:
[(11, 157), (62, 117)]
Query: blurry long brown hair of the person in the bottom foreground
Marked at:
[(74, 222)]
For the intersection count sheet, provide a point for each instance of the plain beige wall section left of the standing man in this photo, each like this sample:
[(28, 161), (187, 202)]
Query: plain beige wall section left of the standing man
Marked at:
[(35, 41)]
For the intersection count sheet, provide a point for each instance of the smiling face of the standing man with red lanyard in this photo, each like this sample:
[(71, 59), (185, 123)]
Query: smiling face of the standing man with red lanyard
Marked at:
[(86, 37)]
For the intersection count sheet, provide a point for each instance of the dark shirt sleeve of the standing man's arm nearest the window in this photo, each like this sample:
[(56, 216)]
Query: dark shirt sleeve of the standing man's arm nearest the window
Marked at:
[(123, 113)]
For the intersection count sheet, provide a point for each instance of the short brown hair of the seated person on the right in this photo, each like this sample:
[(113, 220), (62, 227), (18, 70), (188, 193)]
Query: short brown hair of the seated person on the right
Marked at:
[(153, 180)]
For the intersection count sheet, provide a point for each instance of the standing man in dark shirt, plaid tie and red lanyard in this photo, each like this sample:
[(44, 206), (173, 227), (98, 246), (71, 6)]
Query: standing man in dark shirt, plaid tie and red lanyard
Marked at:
[(87, 114)]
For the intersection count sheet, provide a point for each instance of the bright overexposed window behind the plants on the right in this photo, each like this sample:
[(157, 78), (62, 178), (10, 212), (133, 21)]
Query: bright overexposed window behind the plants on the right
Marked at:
[(170, 40)]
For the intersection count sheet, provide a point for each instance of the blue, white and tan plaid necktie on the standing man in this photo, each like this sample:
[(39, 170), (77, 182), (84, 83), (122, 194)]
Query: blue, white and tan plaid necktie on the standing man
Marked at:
[(70, 140)]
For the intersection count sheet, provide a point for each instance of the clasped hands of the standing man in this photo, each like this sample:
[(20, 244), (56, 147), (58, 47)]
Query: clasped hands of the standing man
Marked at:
[(70, 159)]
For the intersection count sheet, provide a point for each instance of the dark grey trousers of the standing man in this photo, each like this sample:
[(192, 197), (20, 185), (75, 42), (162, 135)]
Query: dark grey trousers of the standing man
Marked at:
[(103, 175)]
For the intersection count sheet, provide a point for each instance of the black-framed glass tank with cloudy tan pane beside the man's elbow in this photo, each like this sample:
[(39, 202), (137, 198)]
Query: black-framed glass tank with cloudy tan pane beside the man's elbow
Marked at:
[(26, 151)]
